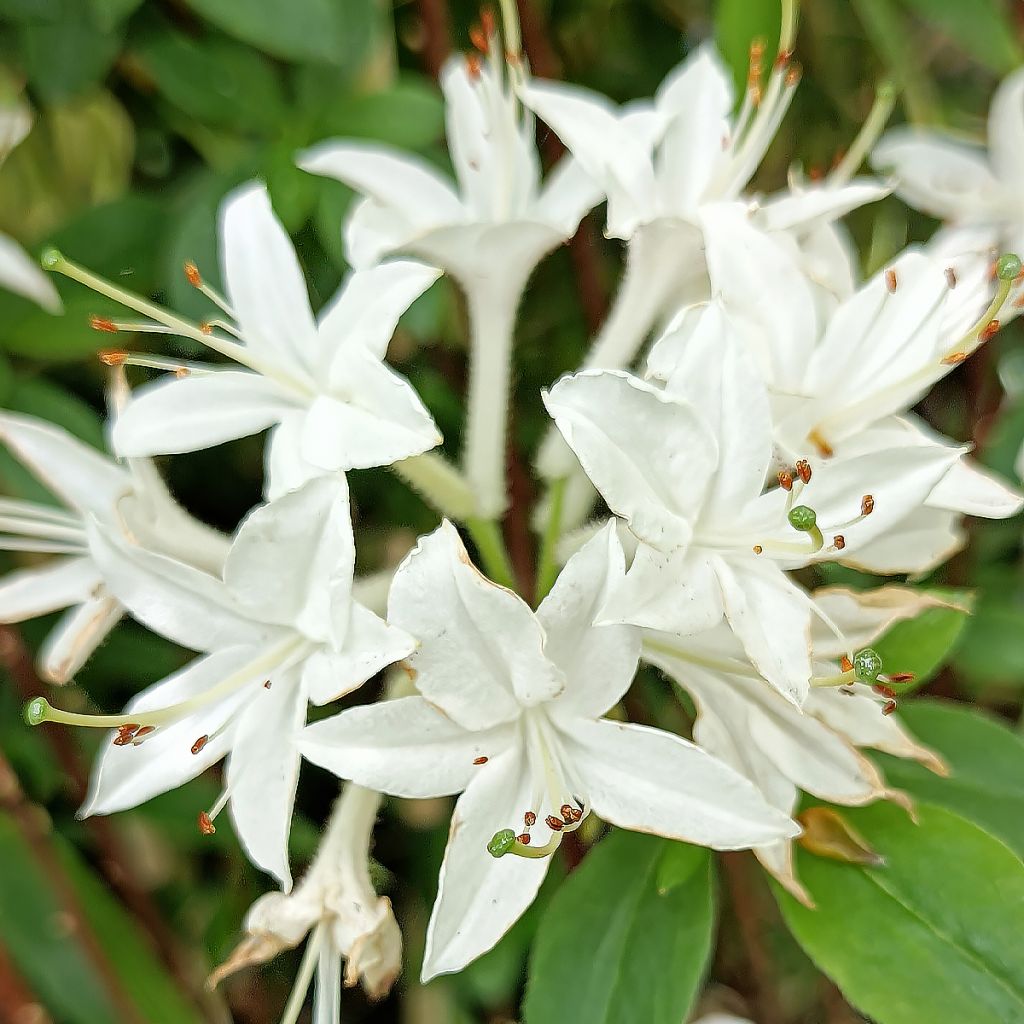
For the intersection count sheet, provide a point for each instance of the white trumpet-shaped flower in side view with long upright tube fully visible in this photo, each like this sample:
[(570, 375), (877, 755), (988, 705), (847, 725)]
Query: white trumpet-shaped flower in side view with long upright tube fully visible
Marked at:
[(489, 231)]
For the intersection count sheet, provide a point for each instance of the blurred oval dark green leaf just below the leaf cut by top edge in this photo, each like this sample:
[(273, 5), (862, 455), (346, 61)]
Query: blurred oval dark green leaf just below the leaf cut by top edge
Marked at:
[(210, 78)]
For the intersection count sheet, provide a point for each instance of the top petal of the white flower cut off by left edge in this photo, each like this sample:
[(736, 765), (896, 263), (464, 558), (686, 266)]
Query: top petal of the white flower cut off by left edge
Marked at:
[(76, 473)]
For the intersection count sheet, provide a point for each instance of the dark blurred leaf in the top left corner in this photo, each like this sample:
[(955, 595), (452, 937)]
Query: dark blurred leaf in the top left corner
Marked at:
[(67, 55)]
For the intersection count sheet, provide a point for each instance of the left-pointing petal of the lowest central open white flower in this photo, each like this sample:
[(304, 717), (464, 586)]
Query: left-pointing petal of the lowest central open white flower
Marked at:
[(405, 748)]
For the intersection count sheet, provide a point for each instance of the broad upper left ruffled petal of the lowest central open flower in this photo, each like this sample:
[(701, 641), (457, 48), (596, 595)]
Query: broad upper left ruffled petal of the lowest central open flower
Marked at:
[(481, 654)]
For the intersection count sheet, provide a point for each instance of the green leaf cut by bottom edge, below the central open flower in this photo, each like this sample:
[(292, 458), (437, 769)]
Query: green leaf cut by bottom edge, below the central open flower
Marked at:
[(627, 937)]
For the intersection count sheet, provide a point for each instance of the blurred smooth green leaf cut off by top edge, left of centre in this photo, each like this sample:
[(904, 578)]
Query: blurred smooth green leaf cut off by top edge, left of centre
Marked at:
[(321, 31)]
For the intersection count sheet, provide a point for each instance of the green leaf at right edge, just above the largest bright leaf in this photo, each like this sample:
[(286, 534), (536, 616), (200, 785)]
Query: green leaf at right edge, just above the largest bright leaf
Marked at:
[(987, 760)]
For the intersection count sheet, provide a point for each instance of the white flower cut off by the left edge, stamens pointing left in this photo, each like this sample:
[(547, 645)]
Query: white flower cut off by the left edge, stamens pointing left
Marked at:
[(130, 500)]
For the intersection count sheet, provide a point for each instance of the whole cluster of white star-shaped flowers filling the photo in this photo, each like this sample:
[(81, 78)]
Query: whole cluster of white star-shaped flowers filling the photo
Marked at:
[(767, 430)]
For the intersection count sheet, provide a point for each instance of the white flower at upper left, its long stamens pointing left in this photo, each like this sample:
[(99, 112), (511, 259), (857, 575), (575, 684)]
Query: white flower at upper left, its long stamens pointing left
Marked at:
[(322, 387)]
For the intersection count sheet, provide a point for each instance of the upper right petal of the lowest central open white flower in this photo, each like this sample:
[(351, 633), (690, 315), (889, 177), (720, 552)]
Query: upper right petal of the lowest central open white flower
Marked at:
[(600, 662)]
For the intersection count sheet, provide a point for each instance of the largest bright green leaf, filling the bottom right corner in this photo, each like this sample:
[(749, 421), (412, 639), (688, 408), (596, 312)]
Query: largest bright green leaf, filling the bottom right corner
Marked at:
[(933, 936)]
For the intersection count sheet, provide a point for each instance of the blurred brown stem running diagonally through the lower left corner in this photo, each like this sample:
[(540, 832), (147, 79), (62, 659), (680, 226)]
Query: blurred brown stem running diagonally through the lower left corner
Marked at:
[(115, 863)]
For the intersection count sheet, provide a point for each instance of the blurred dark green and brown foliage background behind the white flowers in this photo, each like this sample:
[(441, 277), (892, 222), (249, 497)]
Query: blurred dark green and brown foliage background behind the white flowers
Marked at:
[(147, 114)]
